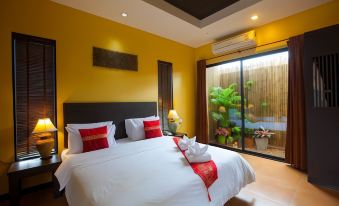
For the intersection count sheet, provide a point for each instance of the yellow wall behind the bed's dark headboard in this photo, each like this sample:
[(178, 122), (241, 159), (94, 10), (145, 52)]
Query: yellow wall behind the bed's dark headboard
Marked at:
[(76, 33)]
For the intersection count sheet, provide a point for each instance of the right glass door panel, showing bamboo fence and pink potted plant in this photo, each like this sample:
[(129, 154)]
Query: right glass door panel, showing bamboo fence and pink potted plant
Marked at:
[(265, 103)]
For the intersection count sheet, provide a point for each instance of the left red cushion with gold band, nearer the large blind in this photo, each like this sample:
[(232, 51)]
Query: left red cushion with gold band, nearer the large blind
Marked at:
[(94, 139)]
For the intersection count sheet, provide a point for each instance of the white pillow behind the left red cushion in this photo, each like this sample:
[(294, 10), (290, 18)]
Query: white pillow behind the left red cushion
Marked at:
[(75, 145)]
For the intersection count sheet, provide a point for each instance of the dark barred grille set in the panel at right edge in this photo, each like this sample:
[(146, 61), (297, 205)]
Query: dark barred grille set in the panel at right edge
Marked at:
[(325, 80)]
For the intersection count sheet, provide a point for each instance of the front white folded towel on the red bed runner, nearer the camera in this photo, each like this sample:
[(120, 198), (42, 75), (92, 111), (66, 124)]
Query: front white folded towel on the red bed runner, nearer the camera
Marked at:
[(196, 154)]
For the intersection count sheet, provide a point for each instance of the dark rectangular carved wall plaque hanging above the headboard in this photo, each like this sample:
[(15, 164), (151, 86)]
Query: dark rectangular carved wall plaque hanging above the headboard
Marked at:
[(113, 59)]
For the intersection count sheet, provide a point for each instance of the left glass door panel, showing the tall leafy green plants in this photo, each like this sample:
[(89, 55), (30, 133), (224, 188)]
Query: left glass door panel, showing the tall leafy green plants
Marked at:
[(224, 104)]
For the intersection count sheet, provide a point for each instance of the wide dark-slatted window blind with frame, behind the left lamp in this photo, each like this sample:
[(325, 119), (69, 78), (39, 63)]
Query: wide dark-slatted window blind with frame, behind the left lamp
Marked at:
[(33, 88)]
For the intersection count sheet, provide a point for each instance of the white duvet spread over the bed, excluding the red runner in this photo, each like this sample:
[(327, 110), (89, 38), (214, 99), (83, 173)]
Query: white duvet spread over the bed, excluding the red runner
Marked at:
[(149, 172)]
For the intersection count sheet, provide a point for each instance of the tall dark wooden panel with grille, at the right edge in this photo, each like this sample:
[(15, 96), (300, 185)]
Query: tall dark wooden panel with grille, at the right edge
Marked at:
[(322, 112)]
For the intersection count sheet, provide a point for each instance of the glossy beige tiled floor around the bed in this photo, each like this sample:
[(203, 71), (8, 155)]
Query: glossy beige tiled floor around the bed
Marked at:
[(276, 184)]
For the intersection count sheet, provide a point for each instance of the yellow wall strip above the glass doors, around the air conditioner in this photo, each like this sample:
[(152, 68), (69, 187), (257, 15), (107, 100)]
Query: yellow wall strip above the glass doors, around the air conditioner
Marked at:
[(315, 18)]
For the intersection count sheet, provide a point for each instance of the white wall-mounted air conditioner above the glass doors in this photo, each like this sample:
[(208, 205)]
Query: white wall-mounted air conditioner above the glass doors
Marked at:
[(236, 43)]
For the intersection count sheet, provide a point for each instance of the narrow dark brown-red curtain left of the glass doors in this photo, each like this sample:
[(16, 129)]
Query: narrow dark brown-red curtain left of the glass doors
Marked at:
[(201, 109)]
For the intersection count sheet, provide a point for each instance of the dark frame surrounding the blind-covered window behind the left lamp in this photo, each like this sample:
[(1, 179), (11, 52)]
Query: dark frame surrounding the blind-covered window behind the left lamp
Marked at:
[(17, 36)]
